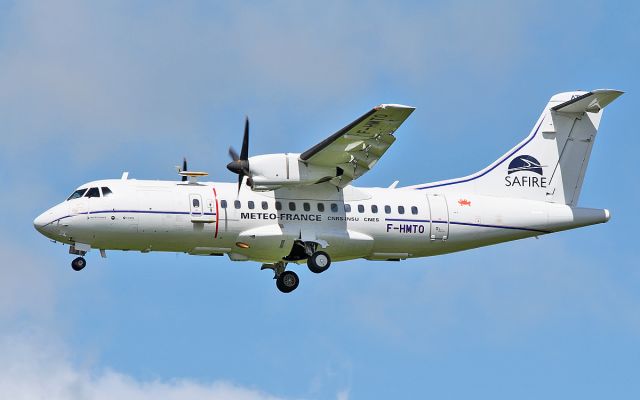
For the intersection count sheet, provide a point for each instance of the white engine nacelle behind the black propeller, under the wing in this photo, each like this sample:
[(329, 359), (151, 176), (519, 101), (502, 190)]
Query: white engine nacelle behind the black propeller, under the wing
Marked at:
[(273, 171)]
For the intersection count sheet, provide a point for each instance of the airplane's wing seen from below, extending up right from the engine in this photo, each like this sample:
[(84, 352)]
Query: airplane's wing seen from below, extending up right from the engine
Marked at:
[(357, 147)]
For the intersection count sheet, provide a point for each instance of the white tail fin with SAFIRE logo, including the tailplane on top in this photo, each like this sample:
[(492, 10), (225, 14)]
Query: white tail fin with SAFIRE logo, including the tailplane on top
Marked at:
[(548, 165)]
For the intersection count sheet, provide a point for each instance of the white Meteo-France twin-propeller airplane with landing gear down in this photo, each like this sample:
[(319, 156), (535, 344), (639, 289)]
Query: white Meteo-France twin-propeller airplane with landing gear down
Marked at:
[(291, 208)]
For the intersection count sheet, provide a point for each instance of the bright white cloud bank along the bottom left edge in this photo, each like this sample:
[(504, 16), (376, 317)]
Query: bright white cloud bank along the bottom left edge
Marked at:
[(31, 370)]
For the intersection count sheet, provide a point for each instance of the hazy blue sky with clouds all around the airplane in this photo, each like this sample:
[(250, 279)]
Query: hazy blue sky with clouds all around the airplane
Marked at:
[(89, 90)]
